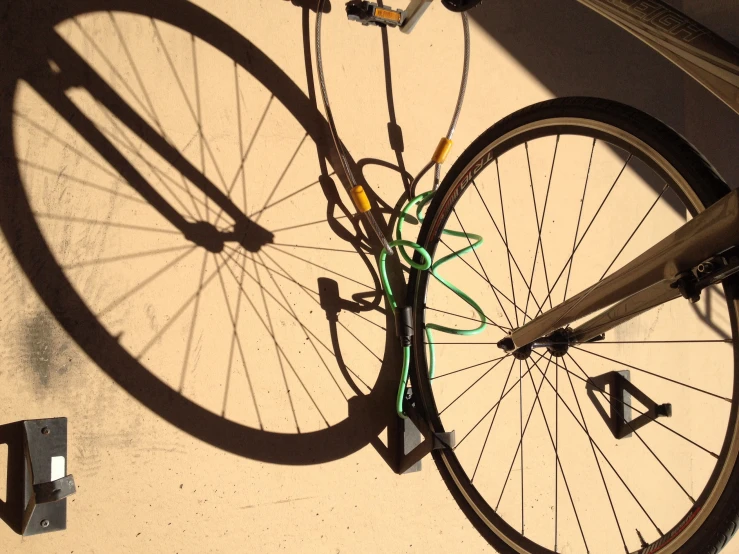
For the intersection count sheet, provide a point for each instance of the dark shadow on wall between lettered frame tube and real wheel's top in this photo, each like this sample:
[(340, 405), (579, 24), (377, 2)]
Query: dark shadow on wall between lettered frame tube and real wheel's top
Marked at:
[(573, 51)]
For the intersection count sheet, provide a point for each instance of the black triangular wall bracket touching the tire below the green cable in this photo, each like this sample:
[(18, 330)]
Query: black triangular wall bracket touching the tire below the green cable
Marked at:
[(416, 439)]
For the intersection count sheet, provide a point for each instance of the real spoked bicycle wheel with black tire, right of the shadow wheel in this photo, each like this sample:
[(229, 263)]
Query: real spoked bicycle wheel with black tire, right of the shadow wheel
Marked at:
[(576, 453)]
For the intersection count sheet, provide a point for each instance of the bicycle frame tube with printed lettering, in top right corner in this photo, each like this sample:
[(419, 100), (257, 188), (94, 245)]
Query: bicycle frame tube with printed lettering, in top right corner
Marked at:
[(701, 53)]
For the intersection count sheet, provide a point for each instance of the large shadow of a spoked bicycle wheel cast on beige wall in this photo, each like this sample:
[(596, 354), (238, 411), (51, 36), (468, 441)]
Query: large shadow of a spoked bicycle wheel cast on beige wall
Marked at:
[(221, 307)]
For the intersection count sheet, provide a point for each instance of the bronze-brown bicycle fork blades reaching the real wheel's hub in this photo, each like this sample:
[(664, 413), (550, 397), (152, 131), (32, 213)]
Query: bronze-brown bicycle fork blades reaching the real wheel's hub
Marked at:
[(646, 281)]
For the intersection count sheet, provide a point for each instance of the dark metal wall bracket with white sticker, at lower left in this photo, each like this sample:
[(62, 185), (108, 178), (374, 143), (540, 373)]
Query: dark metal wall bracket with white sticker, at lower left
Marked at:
[(46, 484)]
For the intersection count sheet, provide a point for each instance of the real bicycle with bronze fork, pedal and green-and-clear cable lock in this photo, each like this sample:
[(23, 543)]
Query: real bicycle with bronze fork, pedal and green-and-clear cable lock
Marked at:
[(700, 254)]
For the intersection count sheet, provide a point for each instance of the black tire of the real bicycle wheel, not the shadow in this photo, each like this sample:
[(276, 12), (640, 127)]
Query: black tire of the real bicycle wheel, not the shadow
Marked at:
[(704, 530)]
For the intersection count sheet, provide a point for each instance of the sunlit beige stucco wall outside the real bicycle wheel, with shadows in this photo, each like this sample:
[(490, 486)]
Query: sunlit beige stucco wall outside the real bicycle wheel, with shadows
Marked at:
[(146, 484)]
